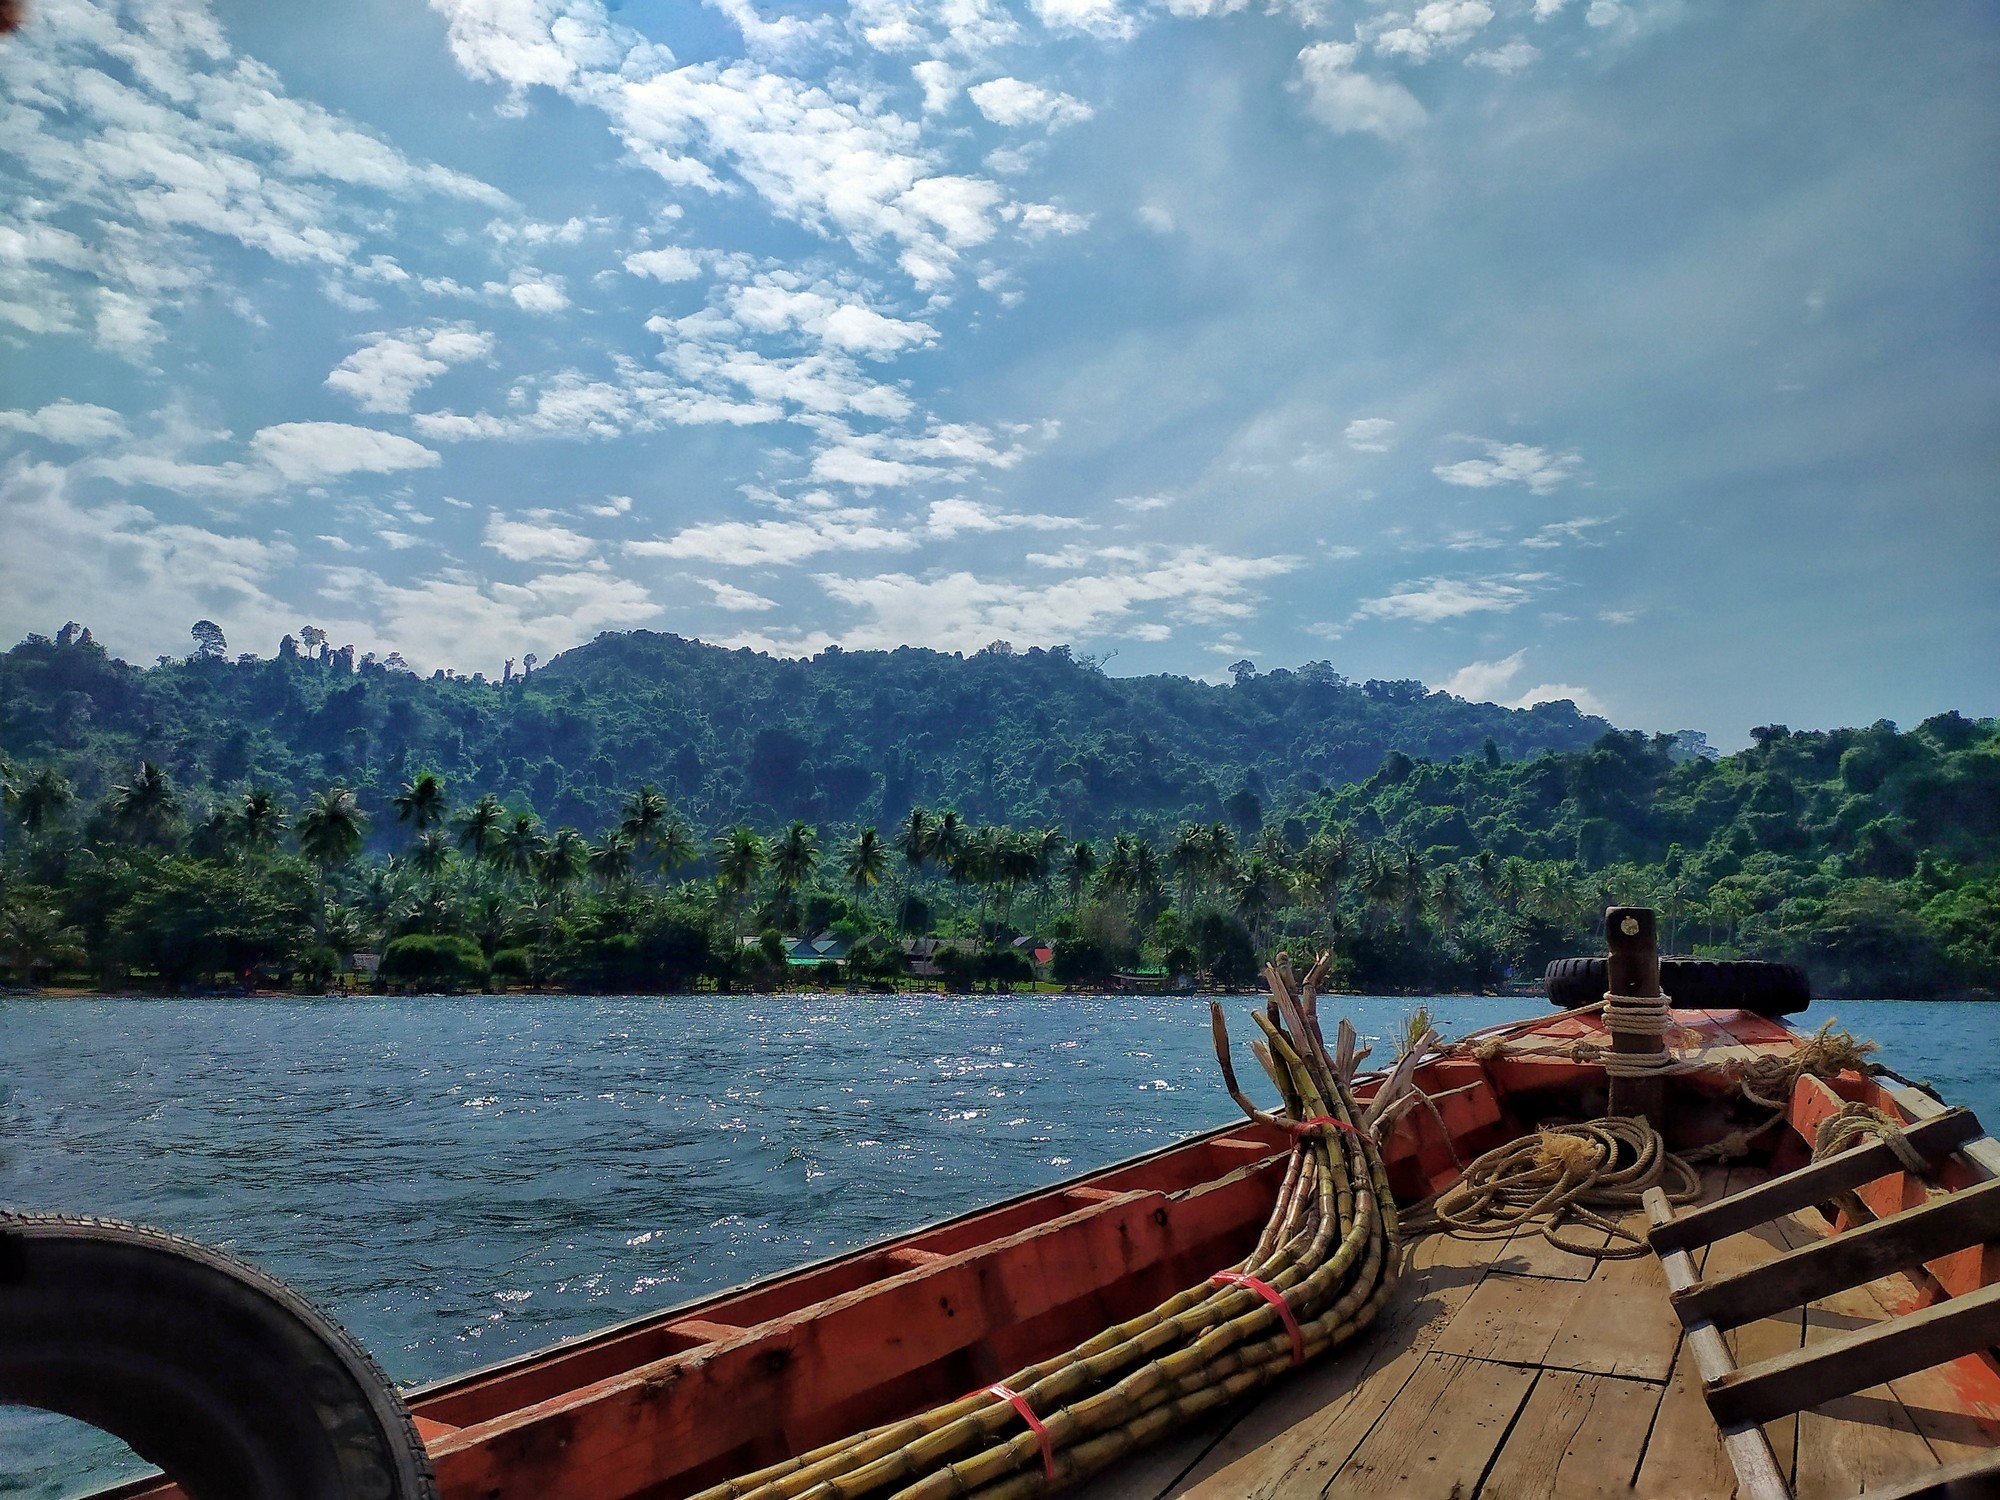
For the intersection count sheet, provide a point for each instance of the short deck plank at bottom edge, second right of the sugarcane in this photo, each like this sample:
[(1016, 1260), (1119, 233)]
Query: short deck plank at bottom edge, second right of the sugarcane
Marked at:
[(1439, 1435)]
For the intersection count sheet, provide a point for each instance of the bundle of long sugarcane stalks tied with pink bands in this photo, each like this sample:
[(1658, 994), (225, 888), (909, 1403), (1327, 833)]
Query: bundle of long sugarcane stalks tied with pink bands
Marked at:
[(1321, 1271)]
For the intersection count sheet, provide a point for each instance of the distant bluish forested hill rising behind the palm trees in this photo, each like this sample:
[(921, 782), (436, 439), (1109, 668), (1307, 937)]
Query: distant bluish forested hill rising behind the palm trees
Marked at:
[(731, 737)]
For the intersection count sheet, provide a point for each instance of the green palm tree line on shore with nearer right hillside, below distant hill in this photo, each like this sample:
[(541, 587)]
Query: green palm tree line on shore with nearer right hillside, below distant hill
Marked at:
[(1863, 855)]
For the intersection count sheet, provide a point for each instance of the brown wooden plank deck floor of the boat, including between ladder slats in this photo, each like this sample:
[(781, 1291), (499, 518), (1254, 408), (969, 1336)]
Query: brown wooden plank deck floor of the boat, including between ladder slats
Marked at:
[(1517, 1371)]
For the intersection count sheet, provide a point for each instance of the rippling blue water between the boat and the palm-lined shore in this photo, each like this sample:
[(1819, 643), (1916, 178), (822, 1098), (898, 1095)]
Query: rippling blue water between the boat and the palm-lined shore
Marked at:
[(459, 1181)]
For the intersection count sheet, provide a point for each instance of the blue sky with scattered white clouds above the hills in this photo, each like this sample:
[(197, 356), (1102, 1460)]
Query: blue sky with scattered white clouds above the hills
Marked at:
[(1639, 353)]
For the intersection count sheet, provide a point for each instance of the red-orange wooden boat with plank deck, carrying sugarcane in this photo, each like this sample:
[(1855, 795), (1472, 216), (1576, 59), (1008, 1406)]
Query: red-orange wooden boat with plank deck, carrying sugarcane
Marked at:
[(1811, 1327)]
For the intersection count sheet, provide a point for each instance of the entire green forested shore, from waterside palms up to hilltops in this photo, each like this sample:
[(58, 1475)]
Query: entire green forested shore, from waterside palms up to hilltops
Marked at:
[(265, 821)]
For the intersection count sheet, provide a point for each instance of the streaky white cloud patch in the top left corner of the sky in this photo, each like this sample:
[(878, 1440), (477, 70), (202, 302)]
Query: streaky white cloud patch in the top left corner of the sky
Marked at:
[(145, 123)]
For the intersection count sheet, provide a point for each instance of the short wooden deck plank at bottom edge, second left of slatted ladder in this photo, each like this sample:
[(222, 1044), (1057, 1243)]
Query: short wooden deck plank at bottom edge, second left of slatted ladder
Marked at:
[(1577, 1439)]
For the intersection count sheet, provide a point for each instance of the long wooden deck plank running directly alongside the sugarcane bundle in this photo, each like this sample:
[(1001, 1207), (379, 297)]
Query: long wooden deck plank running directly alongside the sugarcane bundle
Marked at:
[(1299, 1431)]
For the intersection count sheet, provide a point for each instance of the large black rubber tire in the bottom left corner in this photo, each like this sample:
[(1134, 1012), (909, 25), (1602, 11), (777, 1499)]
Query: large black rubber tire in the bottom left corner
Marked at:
[(217, 1373)]
